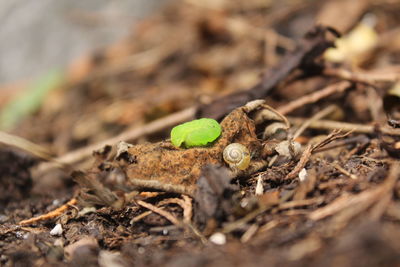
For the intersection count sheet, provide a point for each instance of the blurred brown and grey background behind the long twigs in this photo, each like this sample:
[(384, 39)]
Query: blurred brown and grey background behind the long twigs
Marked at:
[(74, 73)]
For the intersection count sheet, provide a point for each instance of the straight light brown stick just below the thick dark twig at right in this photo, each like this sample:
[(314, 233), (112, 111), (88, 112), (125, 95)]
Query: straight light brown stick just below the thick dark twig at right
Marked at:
[(314, 97)]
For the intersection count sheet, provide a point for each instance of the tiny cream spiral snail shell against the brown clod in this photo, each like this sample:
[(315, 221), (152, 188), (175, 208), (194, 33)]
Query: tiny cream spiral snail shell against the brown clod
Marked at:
[(237, 156)]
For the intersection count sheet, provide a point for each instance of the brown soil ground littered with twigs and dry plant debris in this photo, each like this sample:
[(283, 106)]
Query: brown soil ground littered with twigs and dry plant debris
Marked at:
[(320, 184)]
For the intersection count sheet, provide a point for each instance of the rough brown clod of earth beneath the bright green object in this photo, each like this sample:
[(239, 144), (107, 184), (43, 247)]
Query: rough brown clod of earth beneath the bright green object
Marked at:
[(165, 167)]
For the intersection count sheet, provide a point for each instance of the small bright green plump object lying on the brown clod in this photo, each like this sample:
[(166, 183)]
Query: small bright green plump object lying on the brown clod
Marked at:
[(196, 133)]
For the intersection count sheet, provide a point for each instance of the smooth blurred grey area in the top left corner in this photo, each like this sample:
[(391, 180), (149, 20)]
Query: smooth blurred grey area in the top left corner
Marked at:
[(40, 35)]
